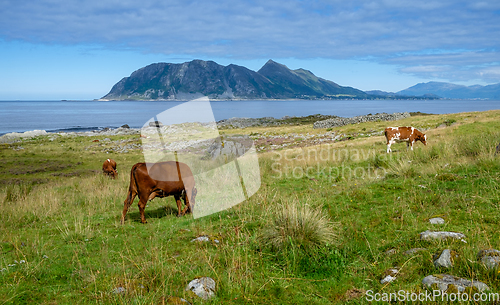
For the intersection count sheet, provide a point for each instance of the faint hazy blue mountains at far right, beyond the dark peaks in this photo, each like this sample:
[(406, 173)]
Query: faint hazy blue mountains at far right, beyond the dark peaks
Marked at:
[(447, 90)]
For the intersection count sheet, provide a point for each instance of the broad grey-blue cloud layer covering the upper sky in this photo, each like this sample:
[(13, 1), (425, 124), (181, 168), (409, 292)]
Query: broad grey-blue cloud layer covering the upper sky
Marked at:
[(455, 40)]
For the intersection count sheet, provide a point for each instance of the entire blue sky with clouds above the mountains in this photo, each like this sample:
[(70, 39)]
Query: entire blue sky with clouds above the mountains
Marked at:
[(76, 49)]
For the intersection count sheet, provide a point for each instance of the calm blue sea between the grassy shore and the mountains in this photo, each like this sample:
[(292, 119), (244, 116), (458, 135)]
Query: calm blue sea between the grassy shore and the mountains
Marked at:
[(20, 116)]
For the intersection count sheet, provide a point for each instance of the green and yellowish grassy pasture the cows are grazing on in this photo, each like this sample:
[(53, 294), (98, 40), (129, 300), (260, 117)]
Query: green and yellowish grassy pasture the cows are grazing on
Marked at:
[(62, 218)]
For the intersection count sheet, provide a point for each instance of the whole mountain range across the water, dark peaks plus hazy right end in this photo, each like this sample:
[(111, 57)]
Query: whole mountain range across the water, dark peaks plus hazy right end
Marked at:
[(166, 81)]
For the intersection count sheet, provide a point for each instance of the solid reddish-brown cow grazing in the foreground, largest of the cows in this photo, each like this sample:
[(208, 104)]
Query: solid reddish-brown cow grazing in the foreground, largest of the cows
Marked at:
[(176, 179)]
